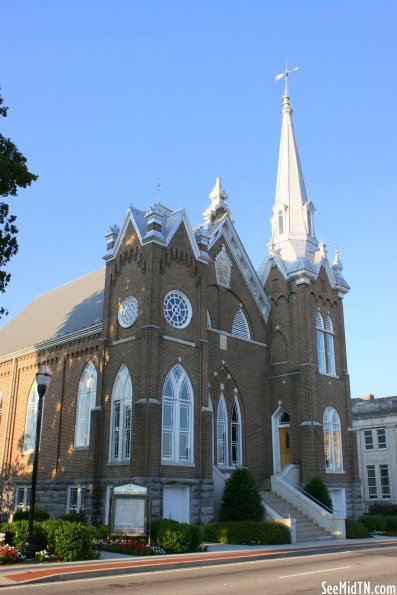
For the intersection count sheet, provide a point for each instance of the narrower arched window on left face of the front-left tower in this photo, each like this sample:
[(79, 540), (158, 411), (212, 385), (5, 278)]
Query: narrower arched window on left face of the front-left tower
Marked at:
[(121, 417)]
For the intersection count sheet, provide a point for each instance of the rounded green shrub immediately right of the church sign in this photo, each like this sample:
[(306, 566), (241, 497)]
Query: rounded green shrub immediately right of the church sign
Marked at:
[(175, 537)]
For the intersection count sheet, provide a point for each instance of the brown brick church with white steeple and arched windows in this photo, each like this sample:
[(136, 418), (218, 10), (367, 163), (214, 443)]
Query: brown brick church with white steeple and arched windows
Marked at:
[(178, 361)]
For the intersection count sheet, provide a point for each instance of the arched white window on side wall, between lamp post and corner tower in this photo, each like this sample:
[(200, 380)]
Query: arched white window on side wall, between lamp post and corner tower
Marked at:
[(86, 399)]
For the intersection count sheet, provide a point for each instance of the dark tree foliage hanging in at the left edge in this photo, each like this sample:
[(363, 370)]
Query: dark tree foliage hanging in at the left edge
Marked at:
[(14, 174)]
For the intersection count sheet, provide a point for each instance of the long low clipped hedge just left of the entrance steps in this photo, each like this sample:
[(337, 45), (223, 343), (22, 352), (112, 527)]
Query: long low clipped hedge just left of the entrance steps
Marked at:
[(247, 532)]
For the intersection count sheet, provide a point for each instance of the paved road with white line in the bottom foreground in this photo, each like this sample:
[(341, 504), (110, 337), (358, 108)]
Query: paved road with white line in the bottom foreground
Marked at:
[(318, 574)]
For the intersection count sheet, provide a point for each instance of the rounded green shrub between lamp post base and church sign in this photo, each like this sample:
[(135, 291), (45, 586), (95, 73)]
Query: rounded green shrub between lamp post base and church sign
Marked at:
[(72, 541)]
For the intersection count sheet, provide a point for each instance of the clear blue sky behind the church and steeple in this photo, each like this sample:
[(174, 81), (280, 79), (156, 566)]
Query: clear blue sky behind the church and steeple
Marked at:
[(104, 97)]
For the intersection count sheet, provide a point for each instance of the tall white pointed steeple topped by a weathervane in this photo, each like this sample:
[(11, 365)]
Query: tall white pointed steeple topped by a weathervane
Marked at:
[(293, 232)]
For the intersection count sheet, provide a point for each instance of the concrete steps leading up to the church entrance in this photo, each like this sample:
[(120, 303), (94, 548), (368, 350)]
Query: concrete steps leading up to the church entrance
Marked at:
[(306, 529)]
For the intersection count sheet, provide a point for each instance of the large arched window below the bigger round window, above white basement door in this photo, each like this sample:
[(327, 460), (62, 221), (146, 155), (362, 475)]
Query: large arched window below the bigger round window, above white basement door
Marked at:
[(177, 417)]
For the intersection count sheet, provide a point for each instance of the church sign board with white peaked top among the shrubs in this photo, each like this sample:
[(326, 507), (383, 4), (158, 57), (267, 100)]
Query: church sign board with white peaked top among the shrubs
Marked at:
[(129, 511)]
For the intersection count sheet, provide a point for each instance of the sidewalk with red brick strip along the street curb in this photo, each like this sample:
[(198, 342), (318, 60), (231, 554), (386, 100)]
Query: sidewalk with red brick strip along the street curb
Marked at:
[(113, 564)]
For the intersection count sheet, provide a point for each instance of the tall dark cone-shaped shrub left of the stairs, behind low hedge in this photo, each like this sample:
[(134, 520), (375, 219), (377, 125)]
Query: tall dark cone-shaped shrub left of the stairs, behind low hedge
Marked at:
[(241, 498)]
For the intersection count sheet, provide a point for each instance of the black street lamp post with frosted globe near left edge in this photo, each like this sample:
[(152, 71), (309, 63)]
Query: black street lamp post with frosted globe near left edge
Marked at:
[(43, 378)]
